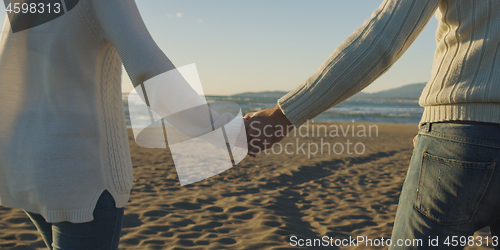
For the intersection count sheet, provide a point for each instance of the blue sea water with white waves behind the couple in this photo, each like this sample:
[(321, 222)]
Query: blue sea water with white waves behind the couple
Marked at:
[(370, 110)]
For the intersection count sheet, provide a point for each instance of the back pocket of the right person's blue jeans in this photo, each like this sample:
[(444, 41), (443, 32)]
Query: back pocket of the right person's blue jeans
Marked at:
[(449, 191)]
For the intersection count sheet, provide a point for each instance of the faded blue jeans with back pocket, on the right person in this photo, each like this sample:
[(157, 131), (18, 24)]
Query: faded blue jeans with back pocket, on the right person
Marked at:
[(452, 188)]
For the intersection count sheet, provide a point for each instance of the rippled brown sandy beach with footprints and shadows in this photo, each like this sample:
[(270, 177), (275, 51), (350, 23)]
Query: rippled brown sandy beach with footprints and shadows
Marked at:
[(262, 202)]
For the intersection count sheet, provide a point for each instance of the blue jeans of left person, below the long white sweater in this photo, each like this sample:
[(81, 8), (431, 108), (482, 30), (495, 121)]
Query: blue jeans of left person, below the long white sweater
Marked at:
[(101, 233)]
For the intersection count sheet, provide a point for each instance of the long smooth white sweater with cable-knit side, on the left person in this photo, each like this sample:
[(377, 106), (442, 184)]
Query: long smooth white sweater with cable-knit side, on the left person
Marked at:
[(63, 138)]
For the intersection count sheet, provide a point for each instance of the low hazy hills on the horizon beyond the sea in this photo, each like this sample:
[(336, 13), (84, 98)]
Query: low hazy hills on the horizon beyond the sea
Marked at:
[(410, 91)]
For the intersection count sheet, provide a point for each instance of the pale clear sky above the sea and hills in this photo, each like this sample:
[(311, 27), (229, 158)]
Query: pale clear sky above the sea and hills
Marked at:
[(266, 45)]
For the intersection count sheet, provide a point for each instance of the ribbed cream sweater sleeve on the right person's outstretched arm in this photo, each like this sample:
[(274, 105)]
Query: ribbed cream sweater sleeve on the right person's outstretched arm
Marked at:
[(360, 59)]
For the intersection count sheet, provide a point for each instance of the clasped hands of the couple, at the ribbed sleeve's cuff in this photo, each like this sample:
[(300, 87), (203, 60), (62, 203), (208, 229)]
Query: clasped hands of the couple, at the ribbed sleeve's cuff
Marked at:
[(265, 128)]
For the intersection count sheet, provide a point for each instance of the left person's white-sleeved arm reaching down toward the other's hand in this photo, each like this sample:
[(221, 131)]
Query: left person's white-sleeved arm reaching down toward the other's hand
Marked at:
[(145, 63)]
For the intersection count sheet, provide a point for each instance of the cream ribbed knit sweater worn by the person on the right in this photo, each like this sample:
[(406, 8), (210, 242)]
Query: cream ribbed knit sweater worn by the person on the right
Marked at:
[(465, 81)]
